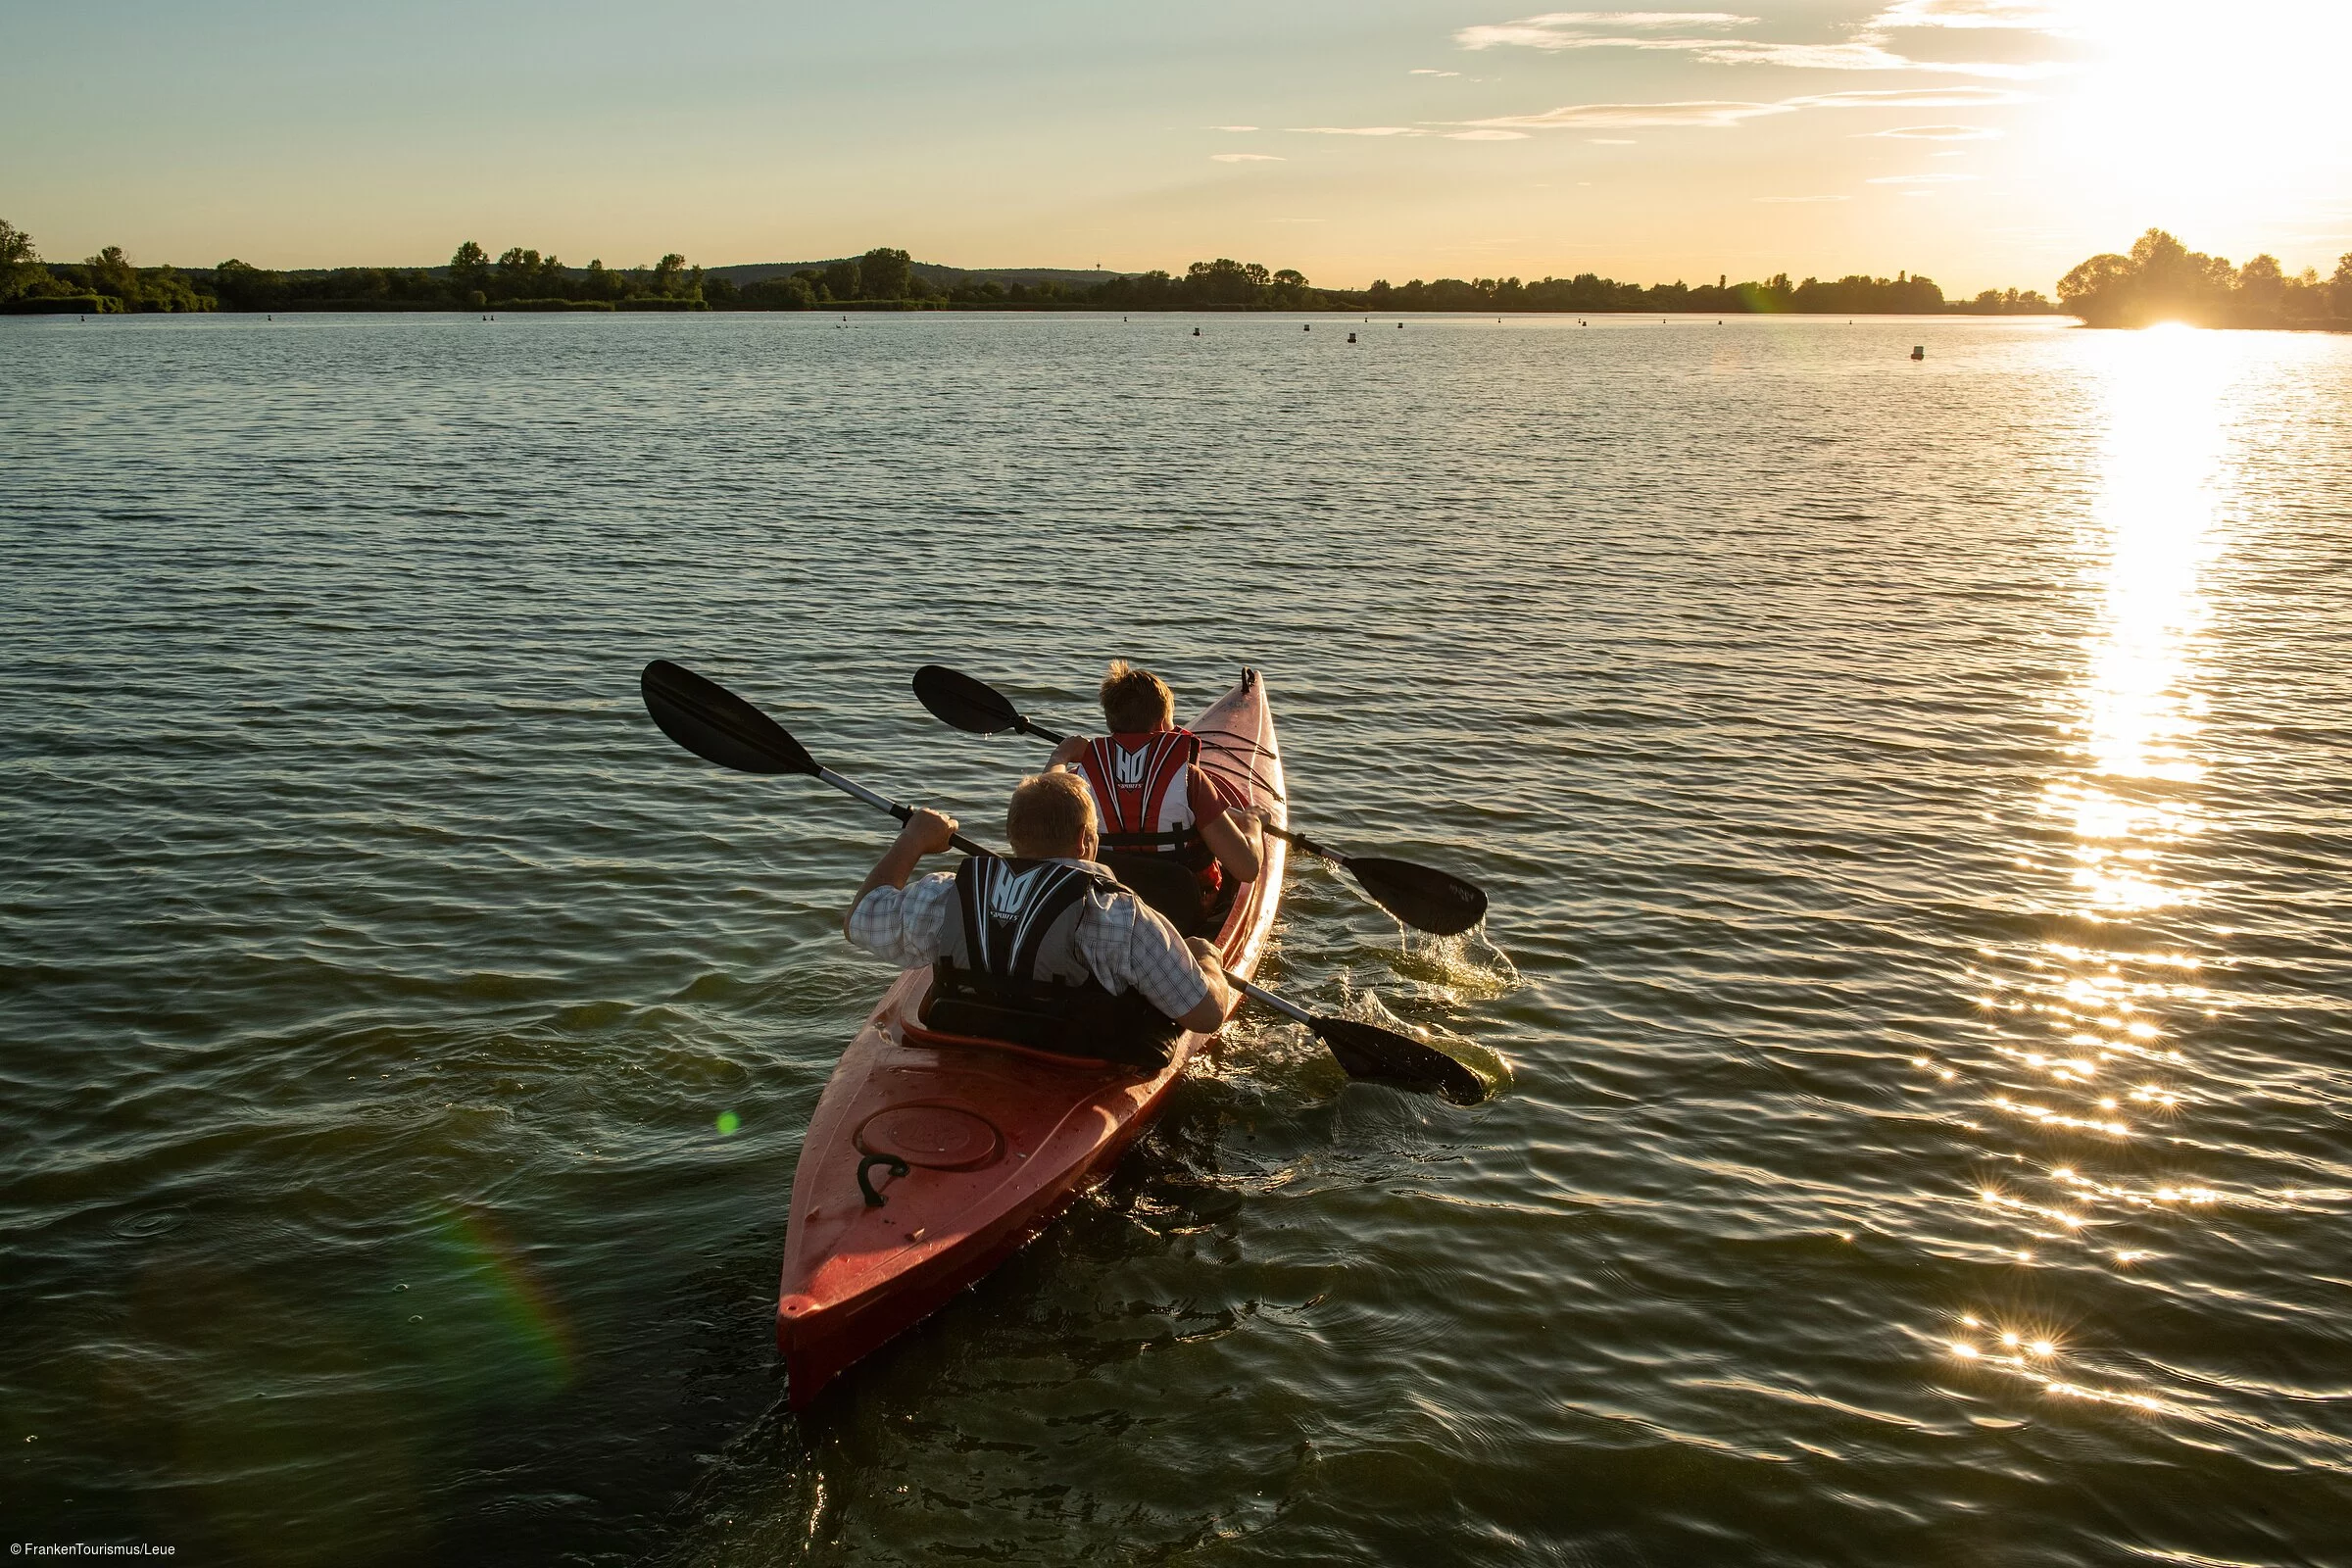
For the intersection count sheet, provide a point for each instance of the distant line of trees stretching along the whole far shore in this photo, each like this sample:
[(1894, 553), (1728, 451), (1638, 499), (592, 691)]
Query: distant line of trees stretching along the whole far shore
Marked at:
[(2158, 281)]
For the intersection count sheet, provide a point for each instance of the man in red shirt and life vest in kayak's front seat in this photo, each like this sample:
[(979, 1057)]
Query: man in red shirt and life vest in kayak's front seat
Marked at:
[(1156, 800)]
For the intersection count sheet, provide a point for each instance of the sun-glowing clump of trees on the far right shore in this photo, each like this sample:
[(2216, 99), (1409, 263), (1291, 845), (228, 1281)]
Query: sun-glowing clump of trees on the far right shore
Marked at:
[(2163, 281)]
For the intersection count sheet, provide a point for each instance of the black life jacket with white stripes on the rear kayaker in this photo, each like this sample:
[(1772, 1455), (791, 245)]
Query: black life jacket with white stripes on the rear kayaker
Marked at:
[(1013, 970)]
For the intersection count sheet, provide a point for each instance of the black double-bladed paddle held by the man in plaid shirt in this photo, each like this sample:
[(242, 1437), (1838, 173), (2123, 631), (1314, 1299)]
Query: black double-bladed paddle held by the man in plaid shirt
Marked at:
[(721, 728)]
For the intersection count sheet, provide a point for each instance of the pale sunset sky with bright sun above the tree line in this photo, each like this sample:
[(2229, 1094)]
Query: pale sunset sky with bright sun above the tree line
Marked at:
[(1979, 142)]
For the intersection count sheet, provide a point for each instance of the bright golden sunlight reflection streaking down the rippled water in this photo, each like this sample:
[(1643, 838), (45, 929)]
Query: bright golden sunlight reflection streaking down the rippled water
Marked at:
[(2127, 803)]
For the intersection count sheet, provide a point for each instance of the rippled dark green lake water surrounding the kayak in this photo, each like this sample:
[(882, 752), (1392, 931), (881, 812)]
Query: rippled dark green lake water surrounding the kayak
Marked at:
[(1916, 803)]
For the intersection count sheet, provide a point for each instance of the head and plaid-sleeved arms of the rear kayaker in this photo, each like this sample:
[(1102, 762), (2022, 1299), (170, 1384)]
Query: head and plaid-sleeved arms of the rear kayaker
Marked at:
[(1121, 942)]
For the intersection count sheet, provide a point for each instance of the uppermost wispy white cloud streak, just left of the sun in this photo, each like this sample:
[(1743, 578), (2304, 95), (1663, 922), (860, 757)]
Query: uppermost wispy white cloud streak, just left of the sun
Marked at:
[(1866, 51)]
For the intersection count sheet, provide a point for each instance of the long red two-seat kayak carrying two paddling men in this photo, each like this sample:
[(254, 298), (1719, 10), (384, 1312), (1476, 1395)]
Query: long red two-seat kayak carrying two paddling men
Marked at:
[(975, 1146)]
